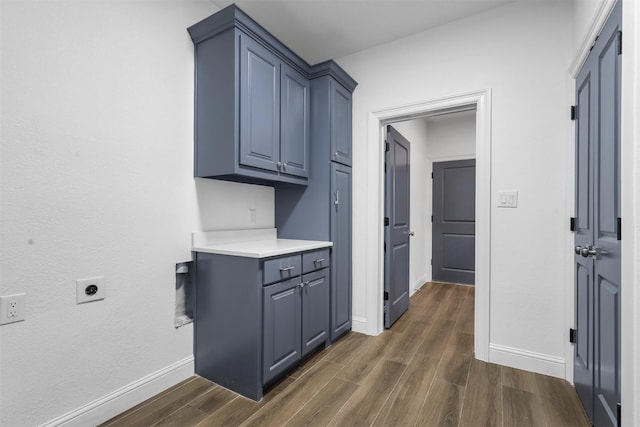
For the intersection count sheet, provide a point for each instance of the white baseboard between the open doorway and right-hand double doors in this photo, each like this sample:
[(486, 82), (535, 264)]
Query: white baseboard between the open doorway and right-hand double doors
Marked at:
[(527, 360)]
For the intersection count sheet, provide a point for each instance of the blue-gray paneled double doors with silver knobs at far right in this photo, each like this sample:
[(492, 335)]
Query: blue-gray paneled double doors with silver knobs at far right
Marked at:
[(598, 266)]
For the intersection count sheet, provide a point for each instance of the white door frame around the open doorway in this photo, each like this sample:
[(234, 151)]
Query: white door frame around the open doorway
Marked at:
[(374, 259)]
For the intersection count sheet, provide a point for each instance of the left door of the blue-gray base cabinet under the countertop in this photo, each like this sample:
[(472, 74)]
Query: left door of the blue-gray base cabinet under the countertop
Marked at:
[(282, 327)]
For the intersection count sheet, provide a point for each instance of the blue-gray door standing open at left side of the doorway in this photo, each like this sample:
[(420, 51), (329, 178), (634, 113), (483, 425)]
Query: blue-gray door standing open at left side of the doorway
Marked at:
[(397, 232)]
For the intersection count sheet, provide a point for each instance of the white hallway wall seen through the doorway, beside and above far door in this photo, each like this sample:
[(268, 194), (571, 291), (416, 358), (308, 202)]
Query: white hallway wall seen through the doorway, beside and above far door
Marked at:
[(440, 138)]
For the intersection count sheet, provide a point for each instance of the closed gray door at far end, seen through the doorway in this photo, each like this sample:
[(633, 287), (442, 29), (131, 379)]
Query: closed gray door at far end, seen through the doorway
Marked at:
[(454, 221)]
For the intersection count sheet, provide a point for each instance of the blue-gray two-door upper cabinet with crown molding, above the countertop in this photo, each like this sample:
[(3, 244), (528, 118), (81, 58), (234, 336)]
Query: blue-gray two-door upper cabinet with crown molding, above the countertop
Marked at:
[(252, 103)]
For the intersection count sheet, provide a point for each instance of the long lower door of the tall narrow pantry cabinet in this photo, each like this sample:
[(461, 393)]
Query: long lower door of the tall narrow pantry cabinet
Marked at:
[(341, 250)]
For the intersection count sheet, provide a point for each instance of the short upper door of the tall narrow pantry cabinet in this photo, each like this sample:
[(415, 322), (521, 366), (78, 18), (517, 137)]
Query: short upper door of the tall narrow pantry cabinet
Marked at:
[(340, 124)]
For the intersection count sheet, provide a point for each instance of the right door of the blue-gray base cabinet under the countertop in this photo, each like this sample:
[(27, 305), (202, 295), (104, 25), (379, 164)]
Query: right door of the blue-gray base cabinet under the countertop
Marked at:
[(315, 309)]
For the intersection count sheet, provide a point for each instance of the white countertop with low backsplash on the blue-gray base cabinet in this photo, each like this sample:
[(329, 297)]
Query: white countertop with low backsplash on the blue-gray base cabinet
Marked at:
[(259, 243)]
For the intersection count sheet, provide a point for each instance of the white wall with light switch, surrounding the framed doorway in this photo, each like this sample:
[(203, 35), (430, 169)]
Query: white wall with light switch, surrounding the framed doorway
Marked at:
[(526, 69)]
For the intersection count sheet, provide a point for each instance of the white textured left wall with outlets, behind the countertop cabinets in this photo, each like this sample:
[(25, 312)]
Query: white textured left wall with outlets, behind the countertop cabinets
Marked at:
[(96, 161)]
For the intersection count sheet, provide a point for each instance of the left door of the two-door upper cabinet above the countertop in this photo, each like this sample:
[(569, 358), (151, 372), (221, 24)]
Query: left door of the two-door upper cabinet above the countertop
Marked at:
[(259, 106)]
